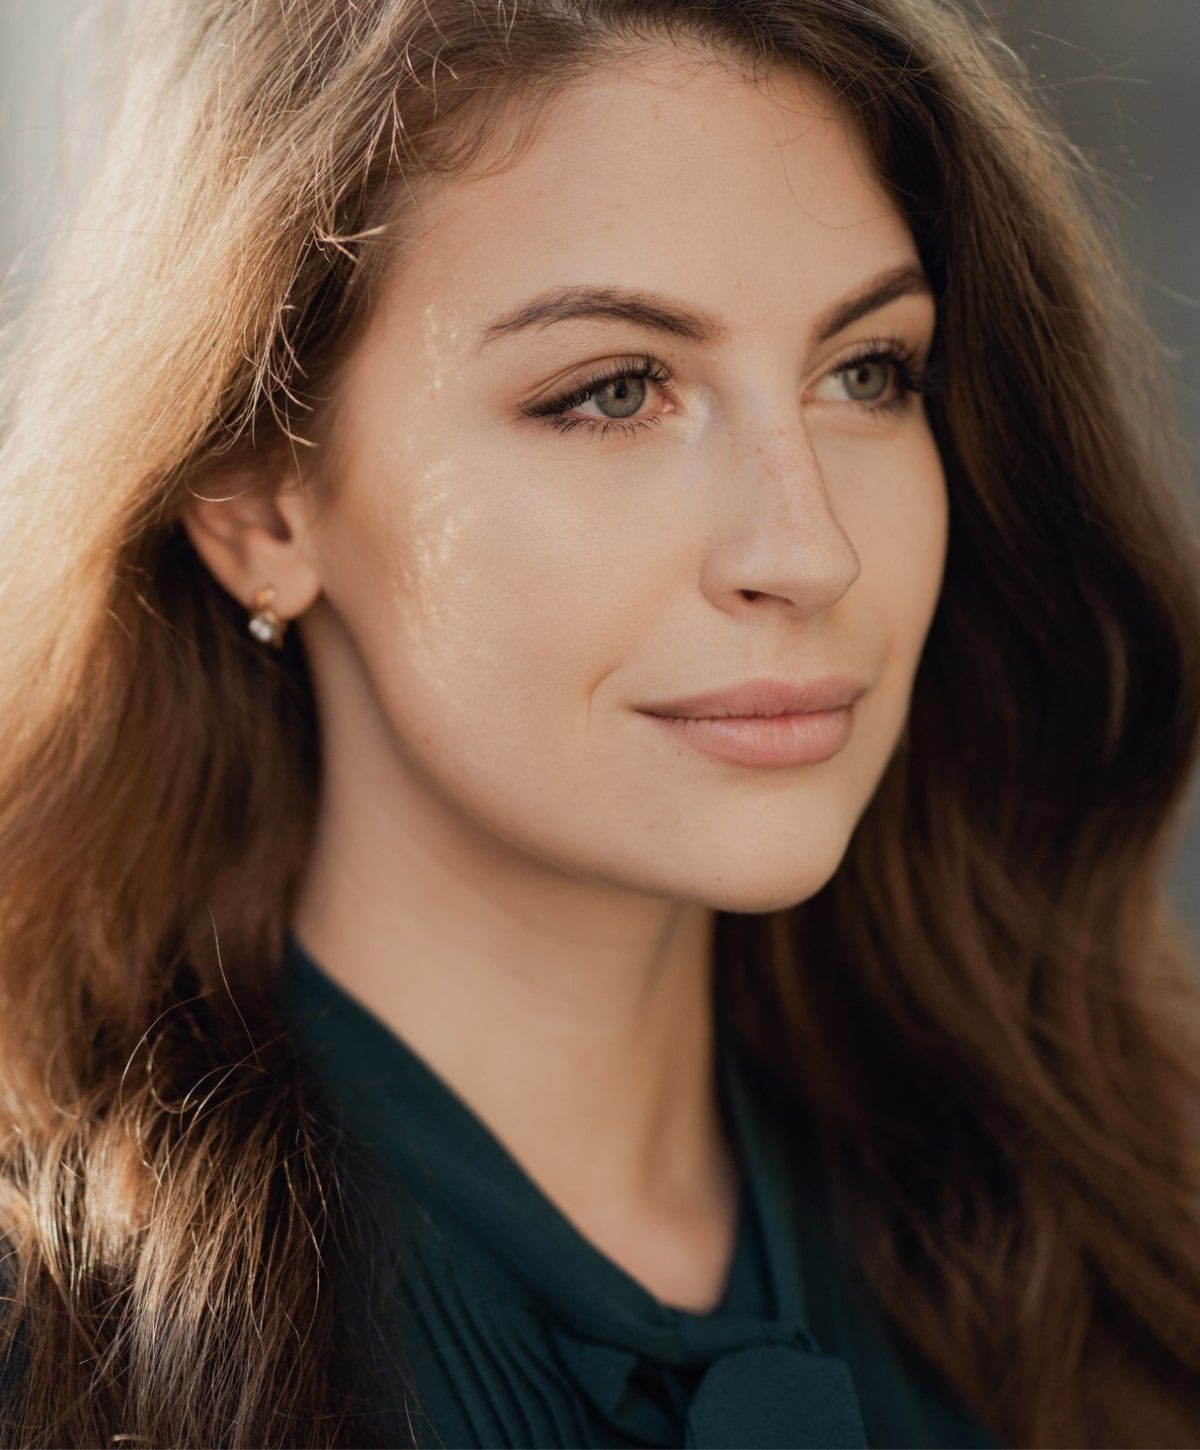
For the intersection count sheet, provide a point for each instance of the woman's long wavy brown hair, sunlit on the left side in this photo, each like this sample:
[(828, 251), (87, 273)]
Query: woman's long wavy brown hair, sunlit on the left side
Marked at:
[(989, 1014)]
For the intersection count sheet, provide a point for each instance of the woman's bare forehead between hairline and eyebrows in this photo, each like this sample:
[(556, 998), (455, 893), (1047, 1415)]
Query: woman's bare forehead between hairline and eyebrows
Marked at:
[(757, 202)]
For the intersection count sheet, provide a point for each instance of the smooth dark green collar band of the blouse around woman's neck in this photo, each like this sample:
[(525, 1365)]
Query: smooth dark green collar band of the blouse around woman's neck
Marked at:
[(440, 1155)]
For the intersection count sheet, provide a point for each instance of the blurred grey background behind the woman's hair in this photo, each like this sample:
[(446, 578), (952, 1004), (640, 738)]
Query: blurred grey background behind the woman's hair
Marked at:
[(1124, 78)]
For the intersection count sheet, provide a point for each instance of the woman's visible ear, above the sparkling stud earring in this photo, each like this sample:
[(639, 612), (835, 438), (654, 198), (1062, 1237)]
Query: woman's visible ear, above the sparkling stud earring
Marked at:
[(253, 530)]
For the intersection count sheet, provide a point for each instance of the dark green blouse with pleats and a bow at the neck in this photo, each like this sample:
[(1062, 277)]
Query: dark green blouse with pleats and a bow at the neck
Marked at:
[(515, 1330)]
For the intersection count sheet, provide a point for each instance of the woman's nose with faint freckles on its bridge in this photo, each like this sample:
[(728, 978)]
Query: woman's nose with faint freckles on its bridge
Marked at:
[(778, 540)]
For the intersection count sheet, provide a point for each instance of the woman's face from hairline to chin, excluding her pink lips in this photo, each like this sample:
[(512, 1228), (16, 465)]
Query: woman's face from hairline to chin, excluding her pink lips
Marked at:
[(508, 579)]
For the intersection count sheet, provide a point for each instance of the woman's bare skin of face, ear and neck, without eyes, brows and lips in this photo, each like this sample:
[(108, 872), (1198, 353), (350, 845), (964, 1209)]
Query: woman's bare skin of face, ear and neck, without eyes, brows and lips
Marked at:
[(514, 869)]
